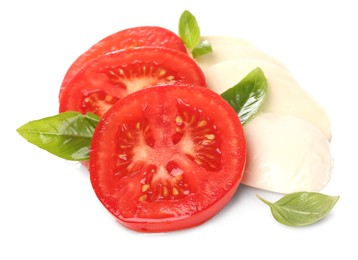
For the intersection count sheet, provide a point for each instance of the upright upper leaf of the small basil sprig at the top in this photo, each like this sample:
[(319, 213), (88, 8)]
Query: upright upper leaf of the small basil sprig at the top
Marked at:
[(189, 30)]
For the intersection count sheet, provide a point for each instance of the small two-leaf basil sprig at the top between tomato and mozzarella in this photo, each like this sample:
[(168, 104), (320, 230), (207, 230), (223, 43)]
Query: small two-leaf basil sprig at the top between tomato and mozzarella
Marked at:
[(189, 32)]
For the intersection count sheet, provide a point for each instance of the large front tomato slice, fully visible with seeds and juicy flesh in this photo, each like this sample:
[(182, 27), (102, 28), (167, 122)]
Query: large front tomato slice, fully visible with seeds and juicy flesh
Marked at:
[(167, 157)]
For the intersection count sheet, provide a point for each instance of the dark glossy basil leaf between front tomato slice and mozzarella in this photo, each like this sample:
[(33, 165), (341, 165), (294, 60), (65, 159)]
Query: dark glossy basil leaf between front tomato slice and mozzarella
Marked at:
[(247, 96)]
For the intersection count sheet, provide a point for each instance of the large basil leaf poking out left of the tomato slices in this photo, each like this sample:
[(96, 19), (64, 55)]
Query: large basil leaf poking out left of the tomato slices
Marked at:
[(67, 135)]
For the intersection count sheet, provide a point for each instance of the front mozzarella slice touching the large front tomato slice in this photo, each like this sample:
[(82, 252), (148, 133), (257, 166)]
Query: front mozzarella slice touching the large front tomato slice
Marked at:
[(286, 154)]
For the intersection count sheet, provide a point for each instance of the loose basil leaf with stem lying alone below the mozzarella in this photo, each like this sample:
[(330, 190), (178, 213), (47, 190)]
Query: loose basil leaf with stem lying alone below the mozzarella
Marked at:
[(301, 208)]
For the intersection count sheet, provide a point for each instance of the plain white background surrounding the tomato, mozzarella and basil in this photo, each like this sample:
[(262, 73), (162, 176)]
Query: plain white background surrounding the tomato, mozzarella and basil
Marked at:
[(47, 207)]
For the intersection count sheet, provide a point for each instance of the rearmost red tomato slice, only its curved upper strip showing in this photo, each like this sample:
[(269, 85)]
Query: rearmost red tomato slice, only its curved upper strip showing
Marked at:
[(124, 39)]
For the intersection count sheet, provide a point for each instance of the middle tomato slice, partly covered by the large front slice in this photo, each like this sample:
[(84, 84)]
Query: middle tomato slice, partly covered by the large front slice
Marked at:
[(108, 78)]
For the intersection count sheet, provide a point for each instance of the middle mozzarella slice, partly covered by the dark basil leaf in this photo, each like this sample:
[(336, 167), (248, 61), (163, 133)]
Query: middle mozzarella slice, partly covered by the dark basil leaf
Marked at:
[(285, 96)]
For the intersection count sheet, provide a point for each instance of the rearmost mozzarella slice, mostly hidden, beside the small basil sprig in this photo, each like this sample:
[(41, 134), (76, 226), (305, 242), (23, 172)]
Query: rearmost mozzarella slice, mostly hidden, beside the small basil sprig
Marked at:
[(235, 52)]
